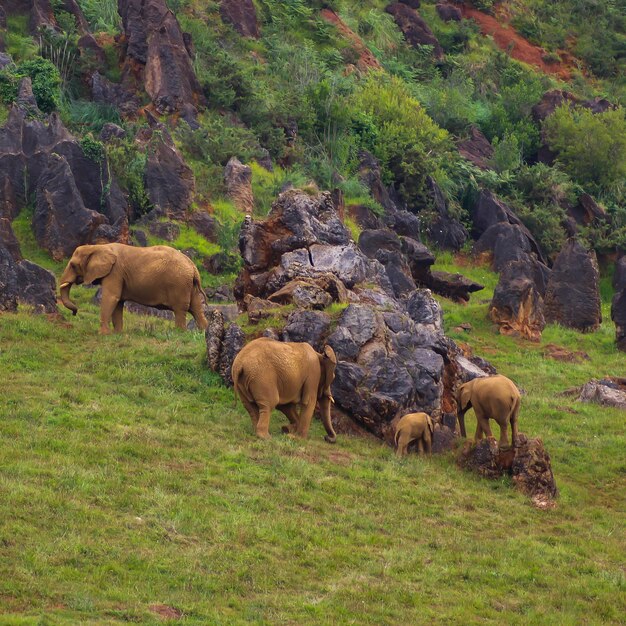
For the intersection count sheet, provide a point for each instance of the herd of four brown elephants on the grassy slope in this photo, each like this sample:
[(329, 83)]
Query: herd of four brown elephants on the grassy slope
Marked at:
[(267, 374)]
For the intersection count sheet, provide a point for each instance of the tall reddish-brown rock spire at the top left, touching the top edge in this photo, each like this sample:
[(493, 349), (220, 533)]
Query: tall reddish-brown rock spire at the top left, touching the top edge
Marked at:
[(158, 54)]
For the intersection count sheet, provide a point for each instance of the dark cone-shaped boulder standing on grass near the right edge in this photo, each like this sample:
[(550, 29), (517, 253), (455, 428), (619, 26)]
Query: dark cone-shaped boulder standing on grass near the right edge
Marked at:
[(572, 295)]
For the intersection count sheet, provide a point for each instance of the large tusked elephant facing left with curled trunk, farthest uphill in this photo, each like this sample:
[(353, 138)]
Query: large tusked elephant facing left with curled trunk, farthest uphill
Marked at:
[(156, 276)]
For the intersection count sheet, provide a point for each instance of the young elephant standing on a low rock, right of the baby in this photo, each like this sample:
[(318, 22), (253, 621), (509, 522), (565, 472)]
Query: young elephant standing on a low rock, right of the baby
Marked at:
[(494, 397)]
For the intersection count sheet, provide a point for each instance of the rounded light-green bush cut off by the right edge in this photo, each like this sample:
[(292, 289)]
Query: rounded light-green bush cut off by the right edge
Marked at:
[(591, 148)]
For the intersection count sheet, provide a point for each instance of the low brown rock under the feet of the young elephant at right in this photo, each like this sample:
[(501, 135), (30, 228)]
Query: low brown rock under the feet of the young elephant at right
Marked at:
[(528, 464)]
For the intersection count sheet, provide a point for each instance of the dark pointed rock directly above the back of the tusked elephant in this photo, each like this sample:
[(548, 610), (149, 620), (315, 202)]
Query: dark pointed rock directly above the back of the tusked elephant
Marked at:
[(169, 181)]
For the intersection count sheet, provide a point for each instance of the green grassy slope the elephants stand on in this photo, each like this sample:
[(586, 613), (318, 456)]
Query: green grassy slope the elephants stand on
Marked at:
[(131, 487)]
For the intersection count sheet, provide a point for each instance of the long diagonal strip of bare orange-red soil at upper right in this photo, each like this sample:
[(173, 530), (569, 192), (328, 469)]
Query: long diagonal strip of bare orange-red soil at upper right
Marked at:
[(518, 47)]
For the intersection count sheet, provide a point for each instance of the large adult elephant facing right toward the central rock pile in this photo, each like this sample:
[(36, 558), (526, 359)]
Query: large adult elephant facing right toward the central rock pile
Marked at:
[(269, 374)]
